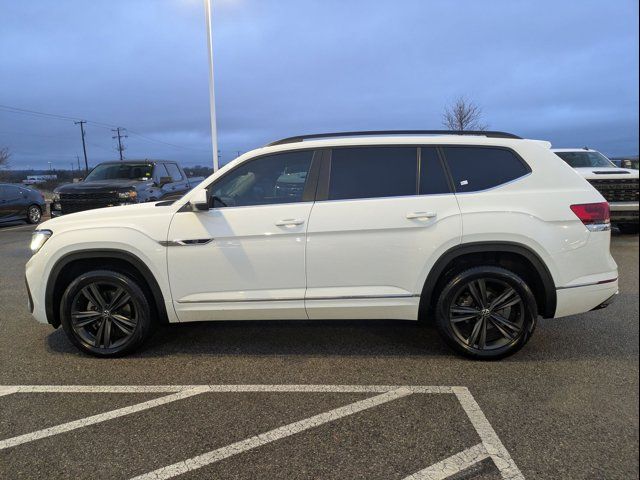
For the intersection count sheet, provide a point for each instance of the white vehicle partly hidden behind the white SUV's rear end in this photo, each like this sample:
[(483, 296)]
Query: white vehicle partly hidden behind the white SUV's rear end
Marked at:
[(619, 186)]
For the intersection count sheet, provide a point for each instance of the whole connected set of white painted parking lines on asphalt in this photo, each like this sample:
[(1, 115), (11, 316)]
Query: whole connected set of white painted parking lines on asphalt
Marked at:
[(491, 446)]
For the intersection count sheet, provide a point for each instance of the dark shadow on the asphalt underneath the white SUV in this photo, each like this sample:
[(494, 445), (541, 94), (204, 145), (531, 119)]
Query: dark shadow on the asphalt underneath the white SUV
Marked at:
[(265, 338)]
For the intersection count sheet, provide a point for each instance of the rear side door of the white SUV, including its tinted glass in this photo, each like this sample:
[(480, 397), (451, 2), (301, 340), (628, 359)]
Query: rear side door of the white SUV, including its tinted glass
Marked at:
[(381, 217)]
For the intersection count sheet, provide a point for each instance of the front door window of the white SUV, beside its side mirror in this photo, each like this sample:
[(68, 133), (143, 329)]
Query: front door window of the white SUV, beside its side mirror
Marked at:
[(277, 178)]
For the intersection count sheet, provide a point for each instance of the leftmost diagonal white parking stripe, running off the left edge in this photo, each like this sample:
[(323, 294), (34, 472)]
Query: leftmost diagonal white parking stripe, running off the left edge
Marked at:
[(102, 417)]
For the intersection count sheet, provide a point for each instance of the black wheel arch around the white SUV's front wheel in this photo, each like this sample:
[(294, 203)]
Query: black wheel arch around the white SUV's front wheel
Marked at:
[(119, 260)]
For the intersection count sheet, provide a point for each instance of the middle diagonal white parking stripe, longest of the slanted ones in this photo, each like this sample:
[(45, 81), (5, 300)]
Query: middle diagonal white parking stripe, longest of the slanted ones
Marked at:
[(271, 436)]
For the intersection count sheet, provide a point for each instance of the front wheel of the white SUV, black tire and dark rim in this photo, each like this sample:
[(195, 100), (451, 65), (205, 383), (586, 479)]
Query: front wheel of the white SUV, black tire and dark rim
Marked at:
[(111, 324)]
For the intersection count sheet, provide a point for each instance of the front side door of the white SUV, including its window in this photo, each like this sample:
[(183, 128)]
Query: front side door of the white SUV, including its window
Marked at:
[(245, 257)]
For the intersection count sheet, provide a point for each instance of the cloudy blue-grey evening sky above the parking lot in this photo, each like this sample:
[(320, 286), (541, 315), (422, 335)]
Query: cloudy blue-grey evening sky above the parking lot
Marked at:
[(566, 71)]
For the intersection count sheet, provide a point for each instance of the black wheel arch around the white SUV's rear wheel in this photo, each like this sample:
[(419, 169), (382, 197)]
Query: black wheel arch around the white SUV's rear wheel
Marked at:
[(496, 253)]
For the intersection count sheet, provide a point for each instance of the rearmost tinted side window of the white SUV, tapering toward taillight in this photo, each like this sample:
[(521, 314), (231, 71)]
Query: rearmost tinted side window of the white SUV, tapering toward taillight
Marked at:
[(479, 168)]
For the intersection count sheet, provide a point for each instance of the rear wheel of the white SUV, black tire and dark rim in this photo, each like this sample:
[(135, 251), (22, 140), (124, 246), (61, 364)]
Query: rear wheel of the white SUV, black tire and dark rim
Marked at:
[(469, 317)]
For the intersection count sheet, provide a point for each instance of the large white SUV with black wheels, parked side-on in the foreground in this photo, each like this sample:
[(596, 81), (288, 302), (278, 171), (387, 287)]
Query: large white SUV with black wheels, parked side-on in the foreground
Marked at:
[(480, 233)]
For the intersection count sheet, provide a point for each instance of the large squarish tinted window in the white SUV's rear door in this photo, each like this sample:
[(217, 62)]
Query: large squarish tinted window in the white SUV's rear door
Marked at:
[(371, 172)]
